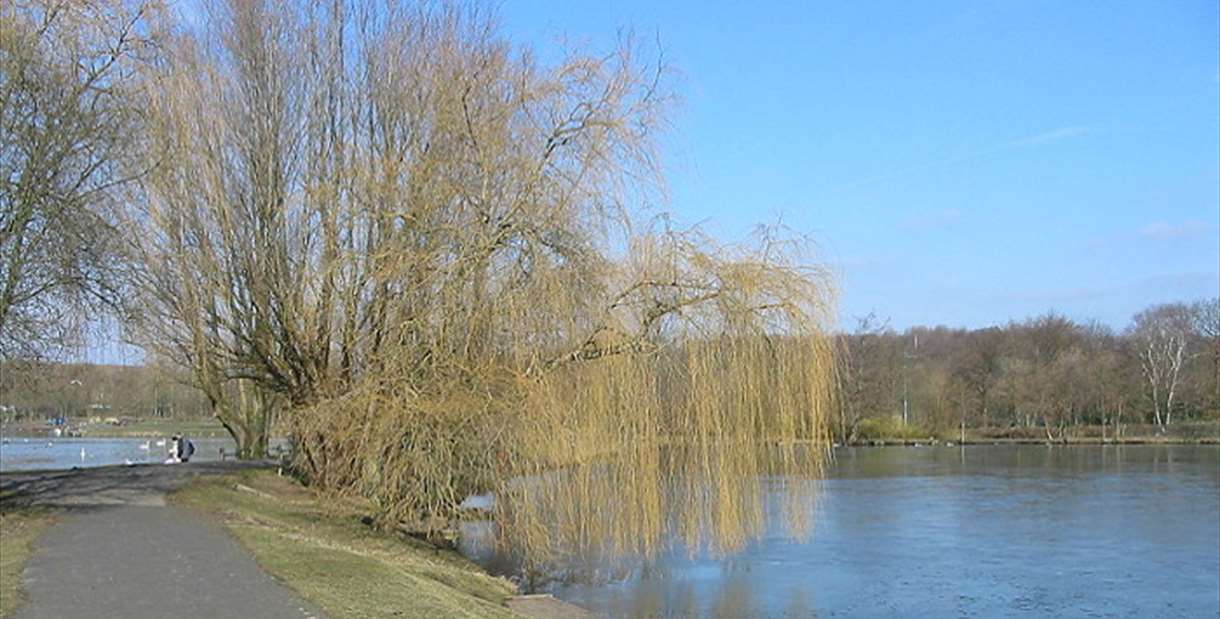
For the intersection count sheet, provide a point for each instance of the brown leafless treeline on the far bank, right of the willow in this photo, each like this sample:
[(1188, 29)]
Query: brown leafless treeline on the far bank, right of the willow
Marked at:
[(1047, 373)]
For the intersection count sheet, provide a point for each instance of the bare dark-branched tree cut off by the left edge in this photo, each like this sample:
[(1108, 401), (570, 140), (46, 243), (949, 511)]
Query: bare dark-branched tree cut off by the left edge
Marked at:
[(66, 71)]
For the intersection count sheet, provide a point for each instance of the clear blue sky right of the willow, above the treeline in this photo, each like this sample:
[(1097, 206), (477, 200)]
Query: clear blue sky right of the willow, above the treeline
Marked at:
[(961, 163)]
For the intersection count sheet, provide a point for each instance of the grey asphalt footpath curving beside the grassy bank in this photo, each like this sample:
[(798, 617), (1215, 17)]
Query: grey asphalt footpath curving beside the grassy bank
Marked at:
[(120, 552)]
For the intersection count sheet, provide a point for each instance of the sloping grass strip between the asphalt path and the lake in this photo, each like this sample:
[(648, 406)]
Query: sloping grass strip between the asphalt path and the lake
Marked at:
[(330, 557)]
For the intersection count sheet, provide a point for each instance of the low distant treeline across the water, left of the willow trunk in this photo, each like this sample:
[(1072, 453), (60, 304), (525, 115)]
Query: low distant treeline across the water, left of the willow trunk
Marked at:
[(47, 390)]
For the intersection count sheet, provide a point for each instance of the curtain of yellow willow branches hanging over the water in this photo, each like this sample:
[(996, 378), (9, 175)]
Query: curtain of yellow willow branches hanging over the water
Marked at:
[(623, 456)]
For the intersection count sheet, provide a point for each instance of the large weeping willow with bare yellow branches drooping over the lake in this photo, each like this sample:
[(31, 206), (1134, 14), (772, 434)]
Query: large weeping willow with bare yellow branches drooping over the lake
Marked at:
[(428, 247)]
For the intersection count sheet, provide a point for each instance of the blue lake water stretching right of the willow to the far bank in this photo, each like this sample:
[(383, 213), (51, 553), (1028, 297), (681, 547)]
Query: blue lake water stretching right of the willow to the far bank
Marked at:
[(966, 532)]
